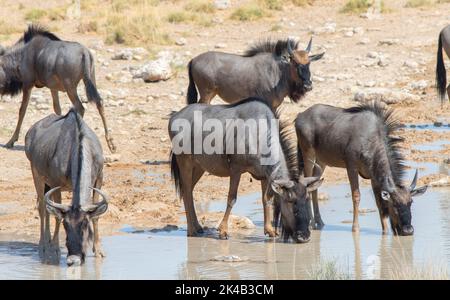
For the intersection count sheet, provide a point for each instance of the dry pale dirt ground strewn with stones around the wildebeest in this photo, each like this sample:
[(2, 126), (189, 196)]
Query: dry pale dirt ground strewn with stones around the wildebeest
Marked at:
[(139, 183)]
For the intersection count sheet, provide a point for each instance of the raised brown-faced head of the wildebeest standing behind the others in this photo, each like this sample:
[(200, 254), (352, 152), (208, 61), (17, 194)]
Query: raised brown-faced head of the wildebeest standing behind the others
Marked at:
[(300, 61)]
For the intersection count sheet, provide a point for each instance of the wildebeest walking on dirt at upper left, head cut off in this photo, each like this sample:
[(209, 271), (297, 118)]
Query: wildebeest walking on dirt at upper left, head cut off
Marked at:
[(41, 59)]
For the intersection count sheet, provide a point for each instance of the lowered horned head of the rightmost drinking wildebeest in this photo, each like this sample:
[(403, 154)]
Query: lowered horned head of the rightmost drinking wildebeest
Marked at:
[(399, 200)]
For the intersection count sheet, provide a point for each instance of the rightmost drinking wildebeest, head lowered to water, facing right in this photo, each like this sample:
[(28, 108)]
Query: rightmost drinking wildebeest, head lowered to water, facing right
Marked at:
[(360, 139)]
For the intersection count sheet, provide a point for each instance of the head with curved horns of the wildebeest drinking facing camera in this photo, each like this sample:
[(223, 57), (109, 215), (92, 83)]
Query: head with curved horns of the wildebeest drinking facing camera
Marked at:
[(77, 224)]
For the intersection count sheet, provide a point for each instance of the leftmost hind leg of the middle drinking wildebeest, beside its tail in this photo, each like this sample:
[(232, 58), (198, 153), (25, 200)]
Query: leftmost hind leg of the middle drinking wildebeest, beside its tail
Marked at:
[(189, 175)]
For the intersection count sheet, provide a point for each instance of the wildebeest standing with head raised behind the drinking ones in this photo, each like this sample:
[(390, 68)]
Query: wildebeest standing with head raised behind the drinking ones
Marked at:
[(270, 70)]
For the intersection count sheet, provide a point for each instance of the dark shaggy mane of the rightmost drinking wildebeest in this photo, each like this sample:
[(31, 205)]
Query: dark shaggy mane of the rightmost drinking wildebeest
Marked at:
[(392, 141)]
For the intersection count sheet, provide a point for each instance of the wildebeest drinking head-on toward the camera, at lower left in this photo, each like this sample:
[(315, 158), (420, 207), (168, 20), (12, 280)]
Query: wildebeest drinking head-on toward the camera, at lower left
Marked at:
[(65, 154)]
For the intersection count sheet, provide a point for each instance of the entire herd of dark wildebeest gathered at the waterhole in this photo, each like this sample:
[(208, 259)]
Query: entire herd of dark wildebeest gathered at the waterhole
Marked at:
[(66, 155)]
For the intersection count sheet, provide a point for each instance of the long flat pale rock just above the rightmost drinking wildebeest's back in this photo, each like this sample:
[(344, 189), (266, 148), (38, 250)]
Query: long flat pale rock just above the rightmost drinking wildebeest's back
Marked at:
[(385, 95)]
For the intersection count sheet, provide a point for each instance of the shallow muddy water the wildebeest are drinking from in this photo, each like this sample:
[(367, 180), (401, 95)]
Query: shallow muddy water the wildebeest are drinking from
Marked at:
[(170, 255)]
